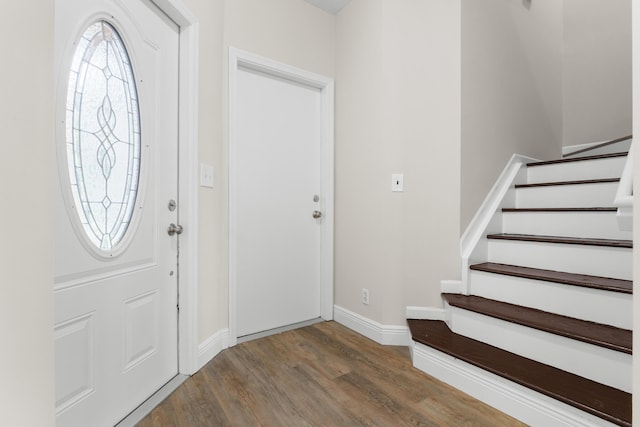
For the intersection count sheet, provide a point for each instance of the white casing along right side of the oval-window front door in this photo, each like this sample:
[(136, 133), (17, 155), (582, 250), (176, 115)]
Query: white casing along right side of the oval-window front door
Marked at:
[(188, 182)]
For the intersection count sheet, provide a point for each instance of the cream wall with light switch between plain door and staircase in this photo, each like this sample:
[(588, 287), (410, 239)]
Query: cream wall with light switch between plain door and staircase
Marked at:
[(397, 111)]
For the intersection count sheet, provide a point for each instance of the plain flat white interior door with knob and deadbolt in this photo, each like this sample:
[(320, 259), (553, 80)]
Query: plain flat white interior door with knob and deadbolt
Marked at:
[(277, 186)]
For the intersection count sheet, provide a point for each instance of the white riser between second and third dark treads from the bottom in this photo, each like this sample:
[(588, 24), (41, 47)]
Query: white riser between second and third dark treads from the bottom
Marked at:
[(609, 308)]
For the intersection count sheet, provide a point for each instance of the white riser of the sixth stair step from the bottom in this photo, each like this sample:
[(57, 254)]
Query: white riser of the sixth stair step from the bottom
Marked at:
[(567, 196)]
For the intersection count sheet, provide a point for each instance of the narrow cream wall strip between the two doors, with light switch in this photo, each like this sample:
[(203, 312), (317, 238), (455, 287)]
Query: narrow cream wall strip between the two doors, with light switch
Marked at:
[(212, 239)]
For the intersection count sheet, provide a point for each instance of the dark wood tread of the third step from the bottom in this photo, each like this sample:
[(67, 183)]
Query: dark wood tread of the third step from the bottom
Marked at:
[(583, 280)]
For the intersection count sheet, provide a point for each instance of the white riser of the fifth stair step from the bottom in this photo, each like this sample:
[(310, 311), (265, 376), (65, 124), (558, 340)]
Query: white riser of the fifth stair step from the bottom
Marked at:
[(595, 225)]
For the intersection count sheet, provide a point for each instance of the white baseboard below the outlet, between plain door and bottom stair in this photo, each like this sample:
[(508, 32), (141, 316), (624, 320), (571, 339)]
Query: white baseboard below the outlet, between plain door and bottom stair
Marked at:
[(382, 334)]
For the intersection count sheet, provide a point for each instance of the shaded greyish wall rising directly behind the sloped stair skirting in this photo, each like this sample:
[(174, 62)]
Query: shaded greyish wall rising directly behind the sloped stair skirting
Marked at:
[(511, 89)]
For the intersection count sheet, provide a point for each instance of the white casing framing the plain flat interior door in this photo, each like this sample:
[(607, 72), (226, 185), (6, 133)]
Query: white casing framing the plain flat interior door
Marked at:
[(242, 59)]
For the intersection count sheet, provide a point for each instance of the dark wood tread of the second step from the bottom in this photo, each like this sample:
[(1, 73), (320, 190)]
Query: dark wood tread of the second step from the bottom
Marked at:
[(589, 332)]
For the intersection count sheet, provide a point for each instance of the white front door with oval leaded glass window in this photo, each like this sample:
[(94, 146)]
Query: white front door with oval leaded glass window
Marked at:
[(115, 285)]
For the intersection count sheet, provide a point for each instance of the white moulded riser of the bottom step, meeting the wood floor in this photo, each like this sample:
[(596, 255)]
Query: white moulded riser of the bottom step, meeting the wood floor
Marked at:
[(528, 406)]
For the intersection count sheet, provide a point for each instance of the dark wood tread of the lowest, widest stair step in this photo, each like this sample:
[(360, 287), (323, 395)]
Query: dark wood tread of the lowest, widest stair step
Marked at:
[(597, 399)]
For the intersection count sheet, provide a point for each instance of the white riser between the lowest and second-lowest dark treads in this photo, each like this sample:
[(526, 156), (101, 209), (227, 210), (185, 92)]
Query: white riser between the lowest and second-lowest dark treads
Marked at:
[(599, 364)]
